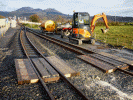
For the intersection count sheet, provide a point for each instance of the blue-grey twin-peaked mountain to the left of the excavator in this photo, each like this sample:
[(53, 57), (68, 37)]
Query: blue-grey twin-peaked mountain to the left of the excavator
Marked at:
[(27, 11)]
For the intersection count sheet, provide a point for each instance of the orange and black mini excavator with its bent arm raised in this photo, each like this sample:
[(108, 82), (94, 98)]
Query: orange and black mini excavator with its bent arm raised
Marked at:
[(81, 28)]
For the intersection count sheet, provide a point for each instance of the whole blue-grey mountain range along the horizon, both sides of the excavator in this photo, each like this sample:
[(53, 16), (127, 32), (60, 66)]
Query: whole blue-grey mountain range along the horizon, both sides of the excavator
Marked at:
[(51, 13)]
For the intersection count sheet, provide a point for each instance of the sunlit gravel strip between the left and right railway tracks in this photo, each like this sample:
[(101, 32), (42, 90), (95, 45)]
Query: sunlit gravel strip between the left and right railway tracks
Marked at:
[(93, 81)]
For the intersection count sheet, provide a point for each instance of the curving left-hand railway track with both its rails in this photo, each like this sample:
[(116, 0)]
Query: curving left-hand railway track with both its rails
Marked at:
[(32, 52)]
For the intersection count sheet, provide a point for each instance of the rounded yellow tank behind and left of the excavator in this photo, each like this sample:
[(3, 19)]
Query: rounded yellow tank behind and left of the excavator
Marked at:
[(48, 26)]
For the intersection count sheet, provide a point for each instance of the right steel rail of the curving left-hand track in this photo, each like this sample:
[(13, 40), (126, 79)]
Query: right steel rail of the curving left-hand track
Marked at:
[(61, 74)]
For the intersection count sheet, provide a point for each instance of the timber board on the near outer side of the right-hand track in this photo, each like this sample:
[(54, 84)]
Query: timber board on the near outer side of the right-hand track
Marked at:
[(97, 63)]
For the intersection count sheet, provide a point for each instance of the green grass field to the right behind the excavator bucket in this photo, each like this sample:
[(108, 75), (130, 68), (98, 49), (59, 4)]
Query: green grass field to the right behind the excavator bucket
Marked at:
[(117, 35)]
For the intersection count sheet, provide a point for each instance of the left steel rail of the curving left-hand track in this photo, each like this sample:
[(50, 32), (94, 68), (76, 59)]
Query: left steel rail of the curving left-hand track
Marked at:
[(39, 77)]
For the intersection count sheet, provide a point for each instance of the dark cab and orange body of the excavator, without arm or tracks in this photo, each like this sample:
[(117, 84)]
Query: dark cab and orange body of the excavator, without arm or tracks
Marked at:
[(81, 25)]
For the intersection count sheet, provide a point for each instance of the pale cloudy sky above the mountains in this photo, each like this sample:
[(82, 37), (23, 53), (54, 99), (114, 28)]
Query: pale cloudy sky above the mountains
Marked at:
[(93, 7)]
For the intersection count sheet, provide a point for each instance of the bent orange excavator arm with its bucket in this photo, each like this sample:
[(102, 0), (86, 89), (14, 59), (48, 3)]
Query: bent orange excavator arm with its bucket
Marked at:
[(95, 19)]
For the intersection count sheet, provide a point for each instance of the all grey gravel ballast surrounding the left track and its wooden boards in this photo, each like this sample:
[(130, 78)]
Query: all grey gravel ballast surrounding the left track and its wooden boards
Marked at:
[(92, 81)]
